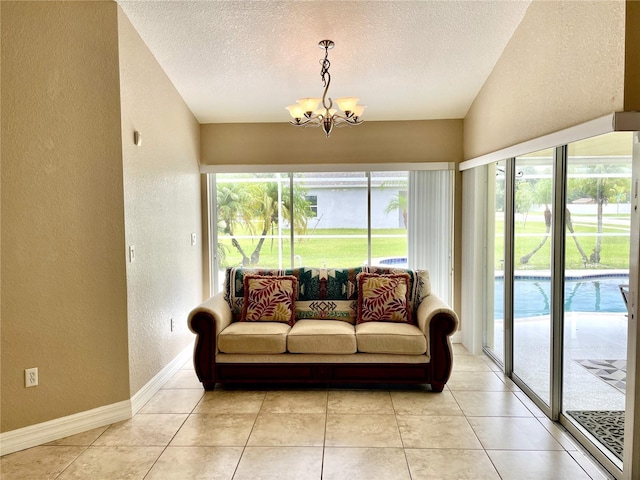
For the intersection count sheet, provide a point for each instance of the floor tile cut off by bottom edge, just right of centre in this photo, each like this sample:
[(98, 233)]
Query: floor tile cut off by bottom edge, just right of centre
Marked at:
[(364, 464)]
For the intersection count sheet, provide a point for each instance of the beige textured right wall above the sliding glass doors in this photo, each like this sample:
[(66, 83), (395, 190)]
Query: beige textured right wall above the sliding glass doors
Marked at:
[(563, 66)]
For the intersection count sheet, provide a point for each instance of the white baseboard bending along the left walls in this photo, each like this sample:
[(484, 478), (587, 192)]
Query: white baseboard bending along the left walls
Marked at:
[(44, 432)]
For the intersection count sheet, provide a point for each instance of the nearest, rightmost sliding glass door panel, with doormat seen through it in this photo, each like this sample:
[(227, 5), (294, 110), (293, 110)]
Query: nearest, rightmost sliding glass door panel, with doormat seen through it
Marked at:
[(597, 234)]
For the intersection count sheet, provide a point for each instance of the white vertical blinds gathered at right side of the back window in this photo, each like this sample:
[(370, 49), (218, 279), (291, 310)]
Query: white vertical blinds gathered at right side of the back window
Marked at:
[(430, 226)]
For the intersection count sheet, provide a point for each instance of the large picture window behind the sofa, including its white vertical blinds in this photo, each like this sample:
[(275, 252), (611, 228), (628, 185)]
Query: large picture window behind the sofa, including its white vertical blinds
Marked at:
[(332, 219)]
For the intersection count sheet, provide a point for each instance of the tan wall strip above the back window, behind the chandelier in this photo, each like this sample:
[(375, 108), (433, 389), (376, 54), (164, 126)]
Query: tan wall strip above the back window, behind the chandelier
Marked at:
[(371, 142)]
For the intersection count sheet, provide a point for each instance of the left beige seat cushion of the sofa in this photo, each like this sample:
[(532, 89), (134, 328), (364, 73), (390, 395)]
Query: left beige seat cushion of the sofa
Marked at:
[(254, 337)]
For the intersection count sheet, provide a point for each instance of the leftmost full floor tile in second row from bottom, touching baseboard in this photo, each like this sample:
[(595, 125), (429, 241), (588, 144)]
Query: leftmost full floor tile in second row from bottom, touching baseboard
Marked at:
[(143, 430)]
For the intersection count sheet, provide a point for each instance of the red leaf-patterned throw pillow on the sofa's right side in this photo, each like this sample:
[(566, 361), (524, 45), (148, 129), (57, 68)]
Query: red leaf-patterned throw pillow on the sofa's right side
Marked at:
[(383, 298)]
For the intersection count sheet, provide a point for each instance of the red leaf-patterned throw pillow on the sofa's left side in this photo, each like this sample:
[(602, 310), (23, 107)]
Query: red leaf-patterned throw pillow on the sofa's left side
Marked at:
[(269, 299)]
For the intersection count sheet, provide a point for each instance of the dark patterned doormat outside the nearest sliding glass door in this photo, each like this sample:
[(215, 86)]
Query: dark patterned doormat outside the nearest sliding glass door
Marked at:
[(607, 426)]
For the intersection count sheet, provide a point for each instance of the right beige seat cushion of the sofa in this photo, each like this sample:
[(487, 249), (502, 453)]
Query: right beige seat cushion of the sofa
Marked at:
[(386, 337)]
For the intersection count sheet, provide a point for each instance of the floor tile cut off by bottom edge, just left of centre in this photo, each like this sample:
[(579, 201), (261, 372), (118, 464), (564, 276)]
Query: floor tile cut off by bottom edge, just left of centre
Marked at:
[(280, 463)]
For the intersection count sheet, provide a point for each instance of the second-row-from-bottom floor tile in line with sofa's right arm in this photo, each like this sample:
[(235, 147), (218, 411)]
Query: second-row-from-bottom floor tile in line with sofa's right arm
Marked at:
[(437, 432)]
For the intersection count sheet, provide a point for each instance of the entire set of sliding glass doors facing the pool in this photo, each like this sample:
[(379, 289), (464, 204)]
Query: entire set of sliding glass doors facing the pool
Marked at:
[(567, 227)]
